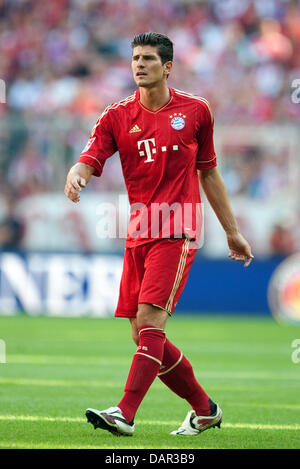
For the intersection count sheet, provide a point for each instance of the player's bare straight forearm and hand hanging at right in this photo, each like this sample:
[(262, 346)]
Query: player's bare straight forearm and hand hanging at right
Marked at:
[(216, 193)]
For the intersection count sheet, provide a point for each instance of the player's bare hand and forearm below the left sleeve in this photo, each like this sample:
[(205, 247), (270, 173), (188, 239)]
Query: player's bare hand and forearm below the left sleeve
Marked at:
[(77, 178)]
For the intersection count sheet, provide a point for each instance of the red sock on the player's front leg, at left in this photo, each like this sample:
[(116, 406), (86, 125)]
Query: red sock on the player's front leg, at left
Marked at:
[(144, 368)]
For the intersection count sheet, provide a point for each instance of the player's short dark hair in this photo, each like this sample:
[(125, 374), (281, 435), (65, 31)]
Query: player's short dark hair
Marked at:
[(163, 43)]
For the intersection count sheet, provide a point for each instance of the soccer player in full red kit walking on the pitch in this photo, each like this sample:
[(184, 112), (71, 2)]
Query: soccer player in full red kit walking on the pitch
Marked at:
[(165, 141)]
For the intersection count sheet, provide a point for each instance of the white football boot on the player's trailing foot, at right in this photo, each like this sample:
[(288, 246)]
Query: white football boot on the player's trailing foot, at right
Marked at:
[(194, 424)]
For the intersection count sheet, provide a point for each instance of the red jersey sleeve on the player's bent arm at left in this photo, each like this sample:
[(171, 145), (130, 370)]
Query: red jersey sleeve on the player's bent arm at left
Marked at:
[(101, 144)]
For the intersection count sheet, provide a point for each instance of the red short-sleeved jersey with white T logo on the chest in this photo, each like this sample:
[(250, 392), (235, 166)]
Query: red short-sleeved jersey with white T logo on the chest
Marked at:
[(160, 152)]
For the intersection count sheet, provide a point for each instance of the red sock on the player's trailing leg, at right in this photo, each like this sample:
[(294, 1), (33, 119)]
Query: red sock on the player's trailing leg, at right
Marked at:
[(177, 373)]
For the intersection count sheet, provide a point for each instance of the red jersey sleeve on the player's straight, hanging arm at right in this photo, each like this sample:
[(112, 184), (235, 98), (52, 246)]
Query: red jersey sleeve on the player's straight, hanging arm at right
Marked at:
[(206, 157)]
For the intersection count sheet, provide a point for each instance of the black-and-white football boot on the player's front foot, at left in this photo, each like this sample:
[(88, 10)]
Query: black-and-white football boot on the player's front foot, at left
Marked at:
[(110, 419)]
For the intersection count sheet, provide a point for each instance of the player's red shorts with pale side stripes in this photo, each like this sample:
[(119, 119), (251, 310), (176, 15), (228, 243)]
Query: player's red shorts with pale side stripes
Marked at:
[(154, 273)]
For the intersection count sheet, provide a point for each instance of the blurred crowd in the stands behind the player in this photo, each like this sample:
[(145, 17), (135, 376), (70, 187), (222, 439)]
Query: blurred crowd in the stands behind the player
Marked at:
[(64, 61)]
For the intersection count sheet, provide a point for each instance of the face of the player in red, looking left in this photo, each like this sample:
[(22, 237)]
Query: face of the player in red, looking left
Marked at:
[(147, 67)]
